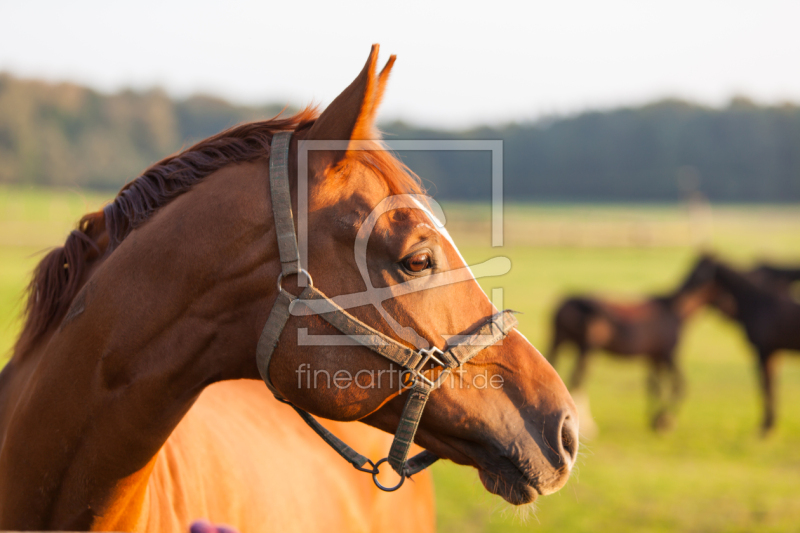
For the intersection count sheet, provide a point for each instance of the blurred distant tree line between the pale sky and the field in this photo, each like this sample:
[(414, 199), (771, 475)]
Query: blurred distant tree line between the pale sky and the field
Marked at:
[(67, 135)]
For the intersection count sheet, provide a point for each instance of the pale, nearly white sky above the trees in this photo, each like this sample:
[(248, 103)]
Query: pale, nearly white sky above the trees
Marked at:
[(459, 64)]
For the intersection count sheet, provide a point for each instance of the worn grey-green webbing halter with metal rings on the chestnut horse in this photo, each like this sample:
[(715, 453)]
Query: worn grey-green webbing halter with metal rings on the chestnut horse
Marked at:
[(493, 329)]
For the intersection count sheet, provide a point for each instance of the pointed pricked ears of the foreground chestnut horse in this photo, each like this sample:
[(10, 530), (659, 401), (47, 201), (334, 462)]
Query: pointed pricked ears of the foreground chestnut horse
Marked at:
[(351, 116)]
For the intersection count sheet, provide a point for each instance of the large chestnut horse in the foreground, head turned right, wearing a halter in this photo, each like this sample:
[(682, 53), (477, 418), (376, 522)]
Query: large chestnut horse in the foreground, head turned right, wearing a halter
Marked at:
[(130, 402)]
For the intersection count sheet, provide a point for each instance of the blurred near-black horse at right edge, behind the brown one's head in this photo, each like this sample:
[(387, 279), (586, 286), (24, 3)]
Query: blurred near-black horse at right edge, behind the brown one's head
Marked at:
[(770, 320)]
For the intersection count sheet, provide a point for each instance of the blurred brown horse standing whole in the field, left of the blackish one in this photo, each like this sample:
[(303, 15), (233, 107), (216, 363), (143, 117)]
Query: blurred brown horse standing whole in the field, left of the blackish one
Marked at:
[(650, 328)]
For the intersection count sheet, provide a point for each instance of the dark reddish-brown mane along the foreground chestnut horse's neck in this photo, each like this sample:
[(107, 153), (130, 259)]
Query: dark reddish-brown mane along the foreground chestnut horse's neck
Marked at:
[(60, 274)]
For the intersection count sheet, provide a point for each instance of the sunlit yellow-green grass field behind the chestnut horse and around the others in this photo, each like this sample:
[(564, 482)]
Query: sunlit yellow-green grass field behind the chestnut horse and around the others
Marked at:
[(711, 473)]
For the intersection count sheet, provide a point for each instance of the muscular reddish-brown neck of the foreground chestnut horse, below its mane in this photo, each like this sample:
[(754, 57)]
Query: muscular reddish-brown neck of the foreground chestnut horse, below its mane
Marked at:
[(177, 306)]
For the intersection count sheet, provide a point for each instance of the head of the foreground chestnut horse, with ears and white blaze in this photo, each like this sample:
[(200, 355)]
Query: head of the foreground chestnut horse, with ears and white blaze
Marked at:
[(373, 242)]
